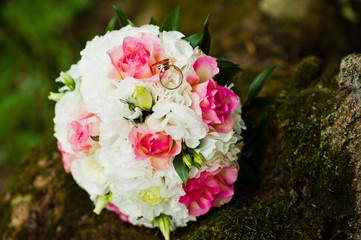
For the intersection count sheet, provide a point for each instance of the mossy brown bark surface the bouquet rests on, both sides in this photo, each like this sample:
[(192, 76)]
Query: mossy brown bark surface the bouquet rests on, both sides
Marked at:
[(306, 164)]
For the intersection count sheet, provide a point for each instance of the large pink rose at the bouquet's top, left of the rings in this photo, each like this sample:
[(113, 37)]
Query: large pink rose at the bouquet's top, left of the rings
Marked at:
[(135, 57)]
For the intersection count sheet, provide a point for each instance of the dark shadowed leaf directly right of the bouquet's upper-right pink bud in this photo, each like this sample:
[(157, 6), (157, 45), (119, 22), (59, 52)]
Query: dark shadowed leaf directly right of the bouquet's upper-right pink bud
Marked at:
[(226, 72)]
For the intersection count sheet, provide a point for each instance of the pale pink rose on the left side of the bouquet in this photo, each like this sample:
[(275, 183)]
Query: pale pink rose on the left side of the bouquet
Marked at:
[(81, 132)]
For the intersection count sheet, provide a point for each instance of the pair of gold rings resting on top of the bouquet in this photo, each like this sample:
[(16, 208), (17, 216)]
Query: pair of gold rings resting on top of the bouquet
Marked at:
[(170, 76)]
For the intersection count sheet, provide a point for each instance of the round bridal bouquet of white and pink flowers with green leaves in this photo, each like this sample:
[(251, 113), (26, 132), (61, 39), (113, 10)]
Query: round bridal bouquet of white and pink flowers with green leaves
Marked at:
[(144, 127)]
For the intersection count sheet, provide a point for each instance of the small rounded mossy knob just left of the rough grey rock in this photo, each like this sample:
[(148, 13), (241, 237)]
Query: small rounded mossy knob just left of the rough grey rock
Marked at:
[(306, 71)]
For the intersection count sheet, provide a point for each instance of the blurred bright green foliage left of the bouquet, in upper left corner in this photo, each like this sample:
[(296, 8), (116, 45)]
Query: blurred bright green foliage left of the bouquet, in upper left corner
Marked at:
[(33, 51)]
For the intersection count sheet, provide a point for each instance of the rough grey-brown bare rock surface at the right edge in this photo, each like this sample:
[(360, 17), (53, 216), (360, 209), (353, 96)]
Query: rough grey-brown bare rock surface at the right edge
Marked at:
[(344, 124)]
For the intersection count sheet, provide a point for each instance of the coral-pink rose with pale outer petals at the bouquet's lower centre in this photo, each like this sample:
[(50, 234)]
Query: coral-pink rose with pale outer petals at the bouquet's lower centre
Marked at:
[(157, 147)]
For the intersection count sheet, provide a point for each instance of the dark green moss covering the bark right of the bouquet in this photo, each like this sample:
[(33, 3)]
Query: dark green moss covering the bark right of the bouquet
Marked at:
[(310, 194)]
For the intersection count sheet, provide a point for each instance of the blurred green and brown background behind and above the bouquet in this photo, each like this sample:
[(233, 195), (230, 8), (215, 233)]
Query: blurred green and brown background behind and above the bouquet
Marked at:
[(38, 39)]
